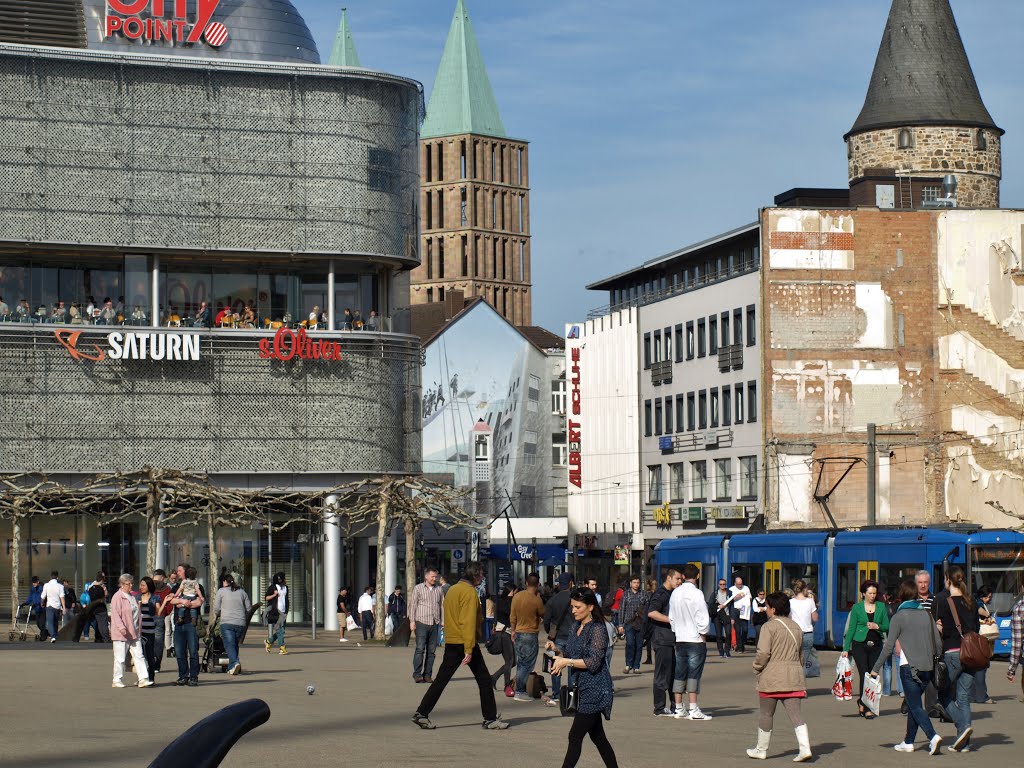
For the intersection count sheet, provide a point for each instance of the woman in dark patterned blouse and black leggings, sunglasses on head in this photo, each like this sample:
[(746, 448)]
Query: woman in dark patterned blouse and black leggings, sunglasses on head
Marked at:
[(586, 658)]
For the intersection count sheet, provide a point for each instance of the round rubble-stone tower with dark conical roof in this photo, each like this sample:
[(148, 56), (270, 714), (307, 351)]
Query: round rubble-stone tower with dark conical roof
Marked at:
[(923, 118)]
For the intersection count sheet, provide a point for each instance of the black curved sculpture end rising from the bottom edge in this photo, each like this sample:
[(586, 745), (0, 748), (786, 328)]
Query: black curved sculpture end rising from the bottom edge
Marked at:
[(207, 743)]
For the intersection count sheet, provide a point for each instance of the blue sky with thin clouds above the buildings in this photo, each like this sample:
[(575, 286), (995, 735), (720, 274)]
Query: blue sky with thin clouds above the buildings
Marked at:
[(655, 124)]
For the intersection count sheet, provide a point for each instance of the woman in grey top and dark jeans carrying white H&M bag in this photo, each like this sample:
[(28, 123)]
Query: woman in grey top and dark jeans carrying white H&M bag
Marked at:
[(919, 639)]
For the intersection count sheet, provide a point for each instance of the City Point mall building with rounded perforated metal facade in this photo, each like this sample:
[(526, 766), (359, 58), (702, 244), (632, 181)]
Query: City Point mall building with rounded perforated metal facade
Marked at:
[(178, 195)]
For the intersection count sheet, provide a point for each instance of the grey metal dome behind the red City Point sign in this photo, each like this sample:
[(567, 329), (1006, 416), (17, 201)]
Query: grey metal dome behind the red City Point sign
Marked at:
[(258, 30)]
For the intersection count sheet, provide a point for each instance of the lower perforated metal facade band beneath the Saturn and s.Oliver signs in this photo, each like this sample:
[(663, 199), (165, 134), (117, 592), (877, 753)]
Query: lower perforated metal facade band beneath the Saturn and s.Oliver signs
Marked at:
[(232, 412)]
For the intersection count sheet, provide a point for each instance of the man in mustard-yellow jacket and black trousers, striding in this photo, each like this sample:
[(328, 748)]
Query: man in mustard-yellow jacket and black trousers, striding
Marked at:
[(463, 630)]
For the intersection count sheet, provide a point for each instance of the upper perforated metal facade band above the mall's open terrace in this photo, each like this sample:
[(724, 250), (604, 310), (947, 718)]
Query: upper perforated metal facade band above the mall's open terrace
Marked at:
[(154, 152)]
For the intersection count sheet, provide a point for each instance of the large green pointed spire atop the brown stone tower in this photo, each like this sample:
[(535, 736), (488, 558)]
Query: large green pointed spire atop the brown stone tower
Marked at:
[(462, 101)]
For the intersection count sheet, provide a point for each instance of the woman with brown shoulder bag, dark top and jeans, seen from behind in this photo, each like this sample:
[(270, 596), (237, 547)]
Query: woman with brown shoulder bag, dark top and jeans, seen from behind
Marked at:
[(957, 616)]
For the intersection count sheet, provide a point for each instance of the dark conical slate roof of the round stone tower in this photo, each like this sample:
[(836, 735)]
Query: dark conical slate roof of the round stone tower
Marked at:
[(922, 74)]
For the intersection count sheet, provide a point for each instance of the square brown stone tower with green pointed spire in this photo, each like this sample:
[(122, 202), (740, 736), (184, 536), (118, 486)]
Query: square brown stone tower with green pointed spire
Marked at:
[(475, 201)]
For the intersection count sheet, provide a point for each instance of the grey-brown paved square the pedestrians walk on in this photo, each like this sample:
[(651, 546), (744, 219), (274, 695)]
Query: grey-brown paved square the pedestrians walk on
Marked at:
[(59, 709)]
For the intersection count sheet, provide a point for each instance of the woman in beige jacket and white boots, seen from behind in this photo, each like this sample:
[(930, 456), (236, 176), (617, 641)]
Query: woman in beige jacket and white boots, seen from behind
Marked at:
[(780, 670)]
